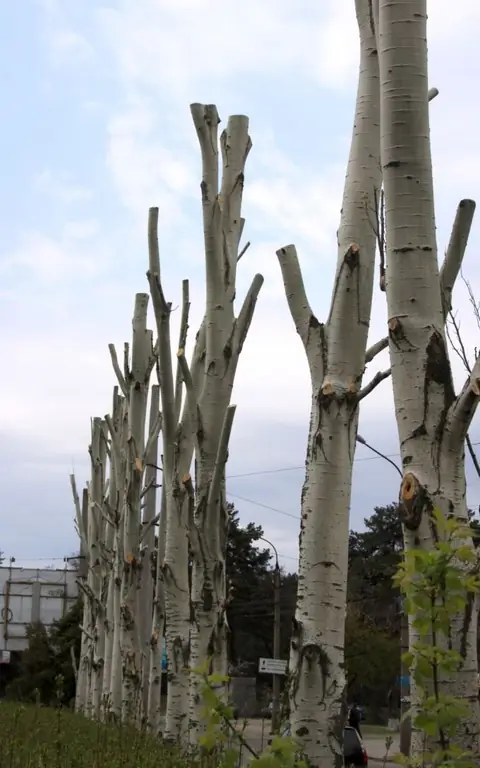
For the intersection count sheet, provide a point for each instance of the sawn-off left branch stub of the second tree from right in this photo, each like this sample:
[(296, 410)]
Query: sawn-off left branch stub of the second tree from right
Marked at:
[(298, 303)]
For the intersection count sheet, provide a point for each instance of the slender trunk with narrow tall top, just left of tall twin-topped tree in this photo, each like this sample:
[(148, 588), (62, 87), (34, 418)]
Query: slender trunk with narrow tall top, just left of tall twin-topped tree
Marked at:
[(177, 457)]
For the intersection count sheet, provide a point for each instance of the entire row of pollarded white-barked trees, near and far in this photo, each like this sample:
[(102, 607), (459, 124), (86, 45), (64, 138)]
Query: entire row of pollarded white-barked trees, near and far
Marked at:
[(139, 585)]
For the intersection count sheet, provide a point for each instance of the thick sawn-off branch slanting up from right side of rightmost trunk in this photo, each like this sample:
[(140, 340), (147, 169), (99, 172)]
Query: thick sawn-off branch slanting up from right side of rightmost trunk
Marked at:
[(455, 252)]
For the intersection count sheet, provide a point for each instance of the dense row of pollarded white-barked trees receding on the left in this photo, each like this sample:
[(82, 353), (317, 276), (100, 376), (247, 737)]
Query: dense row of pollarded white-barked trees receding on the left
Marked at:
[(153, 574)]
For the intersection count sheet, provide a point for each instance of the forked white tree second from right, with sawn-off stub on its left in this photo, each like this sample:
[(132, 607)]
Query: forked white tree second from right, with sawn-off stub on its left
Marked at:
[(336, 352)]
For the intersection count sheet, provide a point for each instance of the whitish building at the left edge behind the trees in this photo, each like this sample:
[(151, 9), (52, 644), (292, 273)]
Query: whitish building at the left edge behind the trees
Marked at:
[(32, 594)]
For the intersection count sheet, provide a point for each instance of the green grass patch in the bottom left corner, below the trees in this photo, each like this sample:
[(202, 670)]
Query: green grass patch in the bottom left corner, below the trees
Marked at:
[(39, 737)]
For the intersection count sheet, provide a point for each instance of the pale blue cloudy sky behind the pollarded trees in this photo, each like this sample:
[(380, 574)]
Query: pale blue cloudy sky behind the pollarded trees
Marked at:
[(96, 128)]
